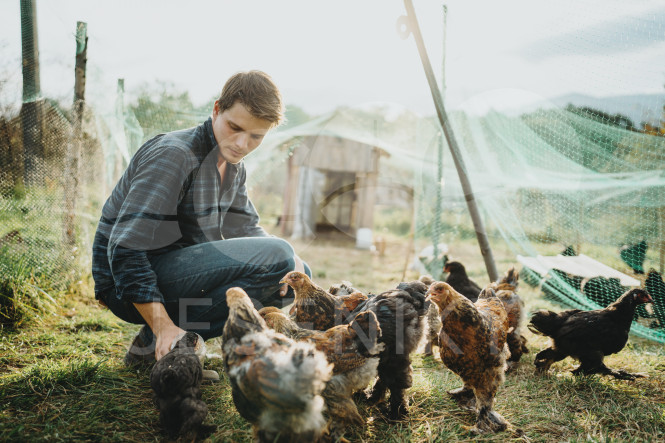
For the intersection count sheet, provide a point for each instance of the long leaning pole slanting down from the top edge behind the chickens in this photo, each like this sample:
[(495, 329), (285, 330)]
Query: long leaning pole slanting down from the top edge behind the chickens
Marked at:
[(481, 234)]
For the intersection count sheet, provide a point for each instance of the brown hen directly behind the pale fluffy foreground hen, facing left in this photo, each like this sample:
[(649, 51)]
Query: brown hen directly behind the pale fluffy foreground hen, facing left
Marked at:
[(353, 350)]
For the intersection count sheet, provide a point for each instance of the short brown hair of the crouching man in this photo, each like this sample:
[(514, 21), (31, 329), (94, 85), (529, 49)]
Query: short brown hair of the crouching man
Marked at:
[(257, 92)]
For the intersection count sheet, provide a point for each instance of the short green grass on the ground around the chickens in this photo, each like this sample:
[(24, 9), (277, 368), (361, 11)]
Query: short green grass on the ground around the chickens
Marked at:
[(62, 379)]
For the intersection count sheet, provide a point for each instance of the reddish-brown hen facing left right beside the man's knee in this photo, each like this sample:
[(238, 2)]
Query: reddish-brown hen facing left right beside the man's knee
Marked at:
[(315, 308)]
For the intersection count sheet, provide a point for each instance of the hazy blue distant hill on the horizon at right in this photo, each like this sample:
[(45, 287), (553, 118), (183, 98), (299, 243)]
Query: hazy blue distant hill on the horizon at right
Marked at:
[(639, 108)]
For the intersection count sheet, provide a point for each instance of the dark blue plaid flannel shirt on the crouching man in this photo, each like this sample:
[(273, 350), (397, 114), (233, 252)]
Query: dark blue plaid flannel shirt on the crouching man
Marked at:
[(169, 197)]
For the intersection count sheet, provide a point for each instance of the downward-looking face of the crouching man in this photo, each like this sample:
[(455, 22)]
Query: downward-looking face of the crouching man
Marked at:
[(237, 131)]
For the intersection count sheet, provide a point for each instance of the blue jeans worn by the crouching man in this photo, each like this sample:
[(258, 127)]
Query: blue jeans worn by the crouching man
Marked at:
[(194, 281)]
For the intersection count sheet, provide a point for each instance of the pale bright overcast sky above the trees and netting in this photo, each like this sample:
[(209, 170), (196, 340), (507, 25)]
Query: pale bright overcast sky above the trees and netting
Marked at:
[(348, 52)]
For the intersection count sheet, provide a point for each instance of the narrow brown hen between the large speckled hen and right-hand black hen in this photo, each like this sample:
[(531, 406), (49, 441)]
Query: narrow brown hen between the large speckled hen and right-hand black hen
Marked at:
[(506, 291)]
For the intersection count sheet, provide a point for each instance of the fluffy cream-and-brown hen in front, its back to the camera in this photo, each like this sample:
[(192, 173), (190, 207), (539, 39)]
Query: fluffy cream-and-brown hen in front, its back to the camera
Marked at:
[(276, 382)]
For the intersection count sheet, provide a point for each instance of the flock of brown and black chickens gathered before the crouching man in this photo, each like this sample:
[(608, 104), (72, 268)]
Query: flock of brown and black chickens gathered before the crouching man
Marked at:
[(298, 376)]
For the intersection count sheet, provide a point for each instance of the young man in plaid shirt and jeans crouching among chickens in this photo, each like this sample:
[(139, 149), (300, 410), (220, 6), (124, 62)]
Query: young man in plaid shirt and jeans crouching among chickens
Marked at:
[(179, 229)]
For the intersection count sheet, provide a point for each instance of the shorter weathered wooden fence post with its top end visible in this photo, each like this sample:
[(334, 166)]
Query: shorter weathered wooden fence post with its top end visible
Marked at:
[(72, 158)]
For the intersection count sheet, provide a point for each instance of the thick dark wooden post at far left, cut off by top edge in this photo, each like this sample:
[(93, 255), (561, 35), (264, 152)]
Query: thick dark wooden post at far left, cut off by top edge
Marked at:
[(32, 107)]
